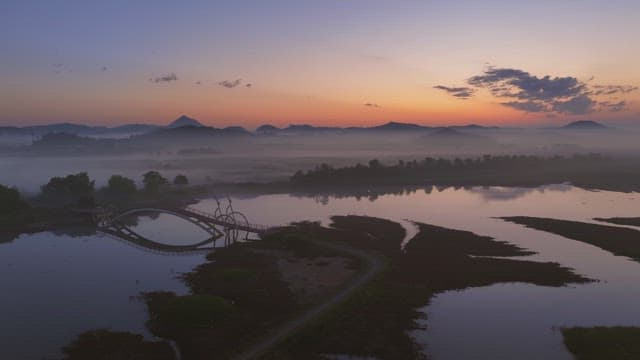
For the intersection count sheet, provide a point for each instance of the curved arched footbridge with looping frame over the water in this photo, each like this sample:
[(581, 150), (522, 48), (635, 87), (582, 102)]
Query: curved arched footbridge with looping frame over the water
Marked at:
[(229, 226)]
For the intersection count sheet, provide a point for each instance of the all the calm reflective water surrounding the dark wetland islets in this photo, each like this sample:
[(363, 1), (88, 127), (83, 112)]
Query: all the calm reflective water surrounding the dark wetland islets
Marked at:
[(57, 286)]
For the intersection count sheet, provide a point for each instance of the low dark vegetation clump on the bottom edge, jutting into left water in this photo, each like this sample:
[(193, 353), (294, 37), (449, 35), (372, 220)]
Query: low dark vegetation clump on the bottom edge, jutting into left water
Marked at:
[(109, 345)]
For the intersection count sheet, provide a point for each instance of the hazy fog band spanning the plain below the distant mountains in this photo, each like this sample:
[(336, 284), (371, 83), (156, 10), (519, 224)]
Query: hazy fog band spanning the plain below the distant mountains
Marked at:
[(261, 158)]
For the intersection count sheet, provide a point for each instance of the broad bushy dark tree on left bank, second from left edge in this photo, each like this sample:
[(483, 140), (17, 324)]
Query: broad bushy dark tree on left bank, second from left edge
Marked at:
[(75, 189)]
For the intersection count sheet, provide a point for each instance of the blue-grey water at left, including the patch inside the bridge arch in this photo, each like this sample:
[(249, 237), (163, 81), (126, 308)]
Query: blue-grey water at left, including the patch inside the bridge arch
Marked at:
[(54, 287)]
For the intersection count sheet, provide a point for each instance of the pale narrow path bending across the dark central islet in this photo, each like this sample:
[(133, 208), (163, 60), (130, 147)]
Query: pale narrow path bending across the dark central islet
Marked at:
[(374, 266)]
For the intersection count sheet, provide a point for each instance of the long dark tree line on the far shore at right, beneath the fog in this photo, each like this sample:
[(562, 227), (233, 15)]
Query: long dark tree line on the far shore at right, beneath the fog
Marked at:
[(591, 171)]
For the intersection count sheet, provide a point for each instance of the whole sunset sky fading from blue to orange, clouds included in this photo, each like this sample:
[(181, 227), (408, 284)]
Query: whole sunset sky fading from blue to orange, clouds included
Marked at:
[(324, 62)]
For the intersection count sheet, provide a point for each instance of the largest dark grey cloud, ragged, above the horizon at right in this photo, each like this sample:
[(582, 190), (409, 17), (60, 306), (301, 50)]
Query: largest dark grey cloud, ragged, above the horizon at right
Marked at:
[(523, 91)]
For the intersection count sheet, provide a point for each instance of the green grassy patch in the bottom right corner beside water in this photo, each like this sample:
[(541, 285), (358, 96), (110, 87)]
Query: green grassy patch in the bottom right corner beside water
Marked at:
[(597, 343)]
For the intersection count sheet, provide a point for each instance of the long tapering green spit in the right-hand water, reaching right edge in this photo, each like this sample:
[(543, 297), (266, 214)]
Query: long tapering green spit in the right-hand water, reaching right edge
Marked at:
[(617, 240)]
